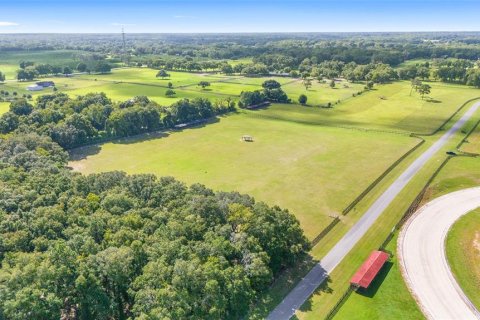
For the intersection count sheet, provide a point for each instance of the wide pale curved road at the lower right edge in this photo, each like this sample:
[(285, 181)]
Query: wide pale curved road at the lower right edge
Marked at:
[(421, 248)]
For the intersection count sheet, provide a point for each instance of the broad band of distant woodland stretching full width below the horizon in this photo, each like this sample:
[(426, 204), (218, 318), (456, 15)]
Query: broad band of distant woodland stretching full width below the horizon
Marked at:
[(376, 57)]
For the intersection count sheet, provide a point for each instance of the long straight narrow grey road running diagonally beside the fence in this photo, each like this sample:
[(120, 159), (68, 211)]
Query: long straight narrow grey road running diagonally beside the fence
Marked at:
[(305, 288)]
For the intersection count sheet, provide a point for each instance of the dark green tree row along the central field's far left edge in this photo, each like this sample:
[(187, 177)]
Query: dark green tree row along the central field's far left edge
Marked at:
[(72, 122)]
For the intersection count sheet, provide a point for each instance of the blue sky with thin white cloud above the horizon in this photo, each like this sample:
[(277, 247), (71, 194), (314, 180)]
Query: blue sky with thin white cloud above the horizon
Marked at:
[(81, 16)]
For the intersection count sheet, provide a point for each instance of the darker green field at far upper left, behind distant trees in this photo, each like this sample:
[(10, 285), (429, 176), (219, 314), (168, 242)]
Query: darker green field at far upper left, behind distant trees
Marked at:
[(9, 60)]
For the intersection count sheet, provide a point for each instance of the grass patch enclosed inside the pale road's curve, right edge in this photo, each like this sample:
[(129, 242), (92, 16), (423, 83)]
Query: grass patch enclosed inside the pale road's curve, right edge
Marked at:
[(463, 253)]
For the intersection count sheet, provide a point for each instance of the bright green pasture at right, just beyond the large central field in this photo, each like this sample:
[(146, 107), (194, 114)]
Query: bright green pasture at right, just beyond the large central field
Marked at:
[(391, 107)]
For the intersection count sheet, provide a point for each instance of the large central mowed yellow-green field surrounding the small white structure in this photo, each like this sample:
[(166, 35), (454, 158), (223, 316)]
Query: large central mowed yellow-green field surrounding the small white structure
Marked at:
[(313, 171)]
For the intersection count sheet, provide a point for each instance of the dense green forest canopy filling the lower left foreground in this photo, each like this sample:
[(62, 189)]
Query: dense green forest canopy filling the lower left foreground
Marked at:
[(113, 246)]
